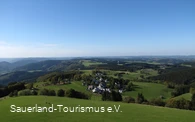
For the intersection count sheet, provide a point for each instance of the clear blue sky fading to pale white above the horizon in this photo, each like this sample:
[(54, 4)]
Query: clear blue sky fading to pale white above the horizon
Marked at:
[(66, 28)]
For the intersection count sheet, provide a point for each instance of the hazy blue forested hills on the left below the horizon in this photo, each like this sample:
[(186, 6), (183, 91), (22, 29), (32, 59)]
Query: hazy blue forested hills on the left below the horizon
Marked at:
[(30, 70)]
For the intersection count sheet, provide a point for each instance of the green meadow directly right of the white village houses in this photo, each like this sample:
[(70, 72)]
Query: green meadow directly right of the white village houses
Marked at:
[(149, 90)]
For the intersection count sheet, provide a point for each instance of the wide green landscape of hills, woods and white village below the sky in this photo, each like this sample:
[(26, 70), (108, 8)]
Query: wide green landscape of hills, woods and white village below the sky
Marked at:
[(138, 86)]
